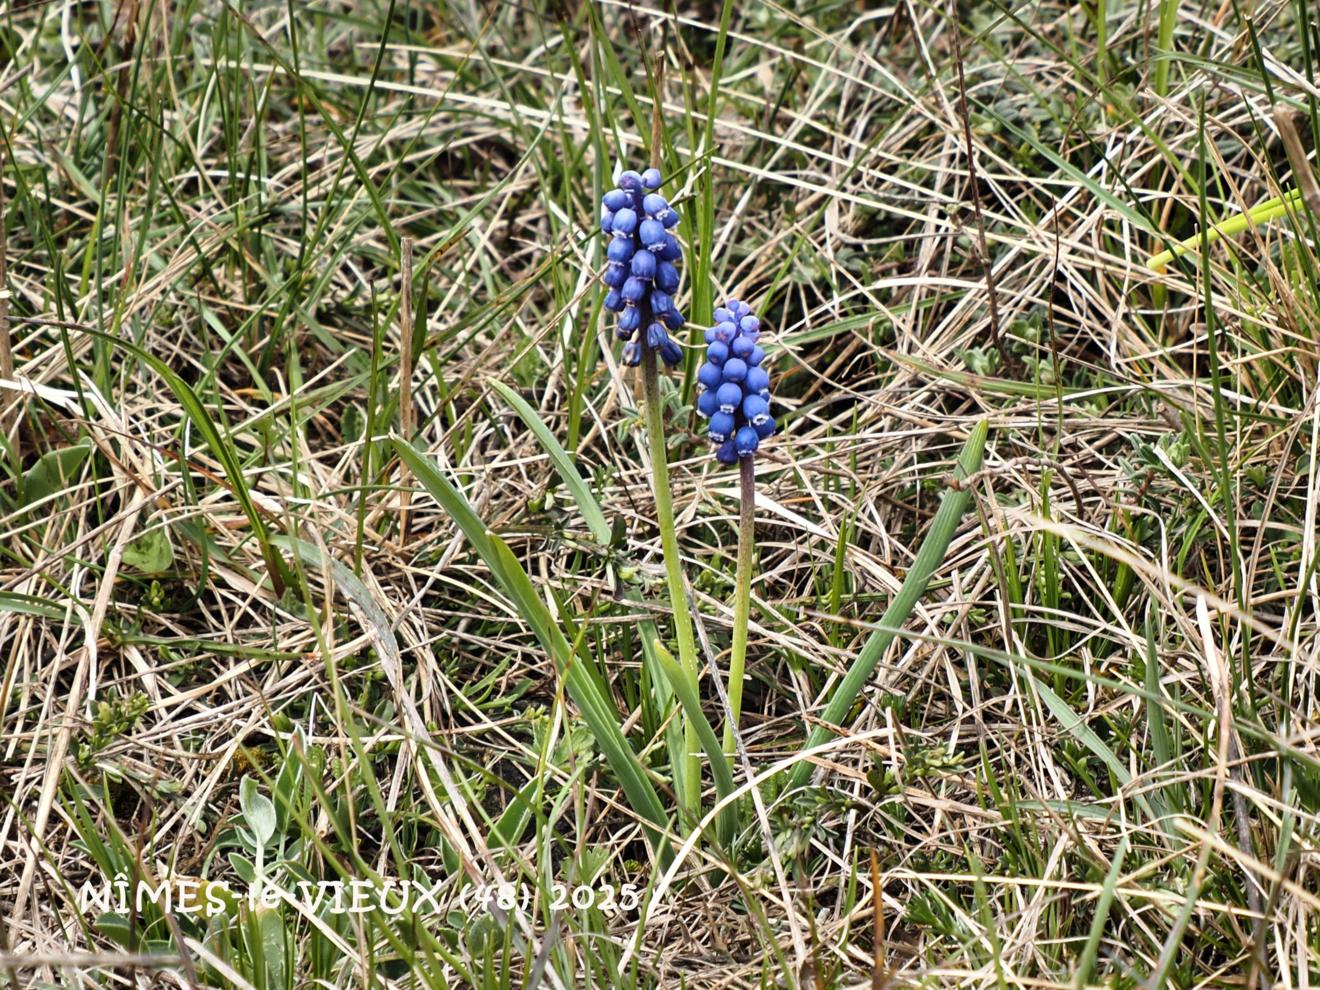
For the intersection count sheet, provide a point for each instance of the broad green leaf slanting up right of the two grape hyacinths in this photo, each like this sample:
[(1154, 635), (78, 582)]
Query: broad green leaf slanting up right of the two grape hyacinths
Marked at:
[(934, 548)]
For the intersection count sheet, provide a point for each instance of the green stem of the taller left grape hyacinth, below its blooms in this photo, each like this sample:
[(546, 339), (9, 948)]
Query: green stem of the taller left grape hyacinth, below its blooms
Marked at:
[(690, 779)]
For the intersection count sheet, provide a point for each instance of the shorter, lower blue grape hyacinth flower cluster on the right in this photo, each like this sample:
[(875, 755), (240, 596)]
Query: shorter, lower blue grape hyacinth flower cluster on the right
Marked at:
[(736, 390)]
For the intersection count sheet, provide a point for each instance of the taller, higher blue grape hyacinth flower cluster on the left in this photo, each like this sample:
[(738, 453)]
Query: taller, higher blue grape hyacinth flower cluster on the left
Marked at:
[(642, 277)]
